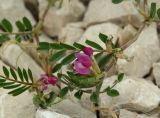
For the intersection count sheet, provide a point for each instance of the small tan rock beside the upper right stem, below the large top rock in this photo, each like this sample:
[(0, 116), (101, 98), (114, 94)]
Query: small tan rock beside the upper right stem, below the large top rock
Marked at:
[(126, 34)]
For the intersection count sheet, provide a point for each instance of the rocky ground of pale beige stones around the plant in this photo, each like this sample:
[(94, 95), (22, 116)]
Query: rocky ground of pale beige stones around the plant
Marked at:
[(75, 22)]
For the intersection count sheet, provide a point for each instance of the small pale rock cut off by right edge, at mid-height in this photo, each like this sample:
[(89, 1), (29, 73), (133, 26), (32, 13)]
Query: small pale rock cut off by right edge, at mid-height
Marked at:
[(156, 73)]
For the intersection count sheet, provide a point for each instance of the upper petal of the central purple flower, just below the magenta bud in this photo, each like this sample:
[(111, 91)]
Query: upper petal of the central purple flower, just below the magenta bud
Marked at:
[(84, 59)]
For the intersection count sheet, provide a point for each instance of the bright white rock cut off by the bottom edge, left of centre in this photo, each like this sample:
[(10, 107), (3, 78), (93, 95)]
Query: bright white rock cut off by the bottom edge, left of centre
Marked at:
[(49, 114)]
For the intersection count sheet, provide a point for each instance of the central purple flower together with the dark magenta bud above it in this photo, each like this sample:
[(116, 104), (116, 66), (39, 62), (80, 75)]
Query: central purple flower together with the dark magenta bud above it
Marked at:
[(83, 62)]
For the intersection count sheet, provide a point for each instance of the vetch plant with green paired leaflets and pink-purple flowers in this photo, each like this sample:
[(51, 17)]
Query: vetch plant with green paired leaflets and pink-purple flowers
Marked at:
[(86, 65)]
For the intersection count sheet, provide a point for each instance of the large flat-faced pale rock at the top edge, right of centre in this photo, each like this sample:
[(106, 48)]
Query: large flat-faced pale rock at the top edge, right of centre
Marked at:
[(104, 10)]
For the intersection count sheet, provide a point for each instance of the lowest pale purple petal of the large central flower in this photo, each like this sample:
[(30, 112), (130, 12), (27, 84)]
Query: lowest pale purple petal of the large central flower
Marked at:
[(81, 69)]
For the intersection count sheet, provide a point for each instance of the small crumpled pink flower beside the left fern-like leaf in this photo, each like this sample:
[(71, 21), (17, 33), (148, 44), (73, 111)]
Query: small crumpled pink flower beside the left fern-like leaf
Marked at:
[(48, 80)]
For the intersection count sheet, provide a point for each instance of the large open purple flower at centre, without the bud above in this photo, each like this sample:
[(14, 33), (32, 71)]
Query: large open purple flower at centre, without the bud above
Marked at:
[(82, 64)]
